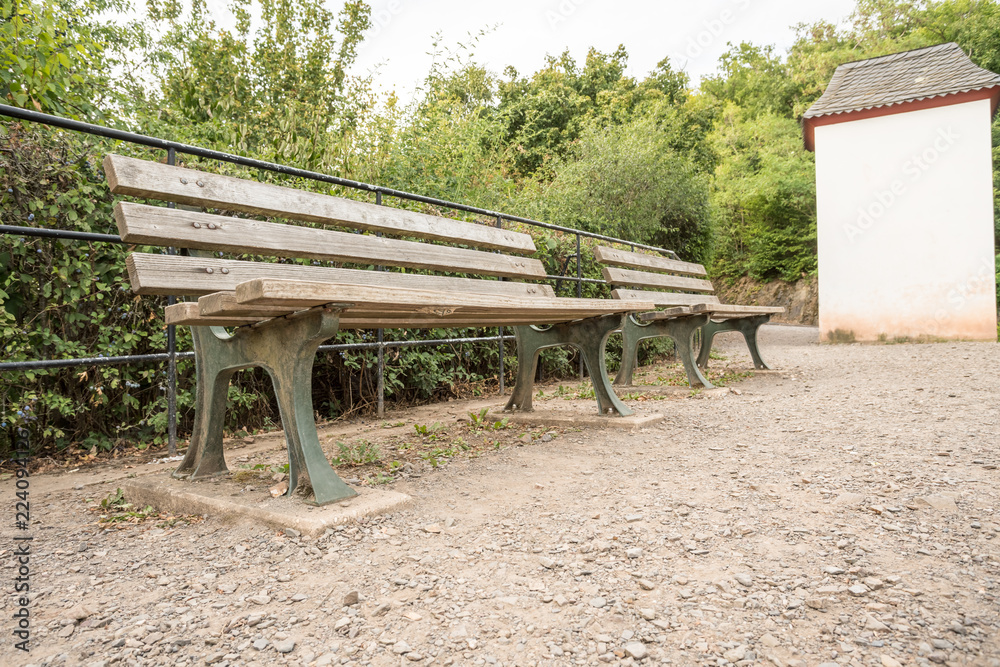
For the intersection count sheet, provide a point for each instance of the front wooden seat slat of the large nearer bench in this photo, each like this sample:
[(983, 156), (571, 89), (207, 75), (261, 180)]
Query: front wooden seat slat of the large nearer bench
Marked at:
[(295, 294)]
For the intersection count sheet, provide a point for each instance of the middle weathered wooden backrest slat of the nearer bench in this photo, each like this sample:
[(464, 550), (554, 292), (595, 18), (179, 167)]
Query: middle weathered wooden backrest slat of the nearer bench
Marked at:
[(155, 225)]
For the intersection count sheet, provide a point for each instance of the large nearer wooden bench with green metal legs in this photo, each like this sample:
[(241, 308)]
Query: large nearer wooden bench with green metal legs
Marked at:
[(284, 311)]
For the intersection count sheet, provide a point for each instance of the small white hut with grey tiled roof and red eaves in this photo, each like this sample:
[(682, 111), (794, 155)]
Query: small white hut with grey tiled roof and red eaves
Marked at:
[(904, 195)]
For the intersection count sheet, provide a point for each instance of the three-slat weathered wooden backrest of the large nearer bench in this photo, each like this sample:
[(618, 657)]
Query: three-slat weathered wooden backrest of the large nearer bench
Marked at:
[(488, 251)]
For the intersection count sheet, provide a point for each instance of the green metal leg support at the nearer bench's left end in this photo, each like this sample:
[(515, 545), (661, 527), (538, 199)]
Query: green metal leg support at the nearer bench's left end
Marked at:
[(286, 349)]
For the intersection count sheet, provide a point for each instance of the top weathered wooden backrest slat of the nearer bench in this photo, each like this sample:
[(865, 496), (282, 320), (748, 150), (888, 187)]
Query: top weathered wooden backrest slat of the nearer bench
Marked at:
[(141, 178)]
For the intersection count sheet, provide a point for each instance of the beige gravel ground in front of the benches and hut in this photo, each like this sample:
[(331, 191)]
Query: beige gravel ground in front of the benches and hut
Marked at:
[(840, 512)]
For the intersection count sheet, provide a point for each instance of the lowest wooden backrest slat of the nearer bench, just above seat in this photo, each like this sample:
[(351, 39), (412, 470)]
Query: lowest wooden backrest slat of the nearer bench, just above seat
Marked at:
[(189, 276)]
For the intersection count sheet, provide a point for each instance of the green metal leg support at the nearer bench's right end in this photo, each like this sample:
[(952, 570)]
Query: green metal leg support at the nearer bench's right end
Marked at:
[(589, 336)]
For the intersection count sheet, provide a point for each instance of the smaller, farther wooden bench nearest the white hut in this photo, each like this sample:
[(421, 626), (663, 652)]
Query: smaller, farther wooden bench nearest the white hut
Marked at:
[(689, 307)]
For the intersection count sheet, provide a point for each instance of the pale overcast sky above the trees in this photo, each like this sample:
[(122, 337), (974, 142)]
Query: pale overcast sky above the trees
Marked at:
[(693, 34)]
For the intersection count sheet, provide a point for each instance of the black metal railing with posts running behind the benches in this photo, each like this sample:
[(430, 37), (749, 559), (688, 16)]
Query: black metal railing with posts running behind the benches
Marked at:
[(172, 355)]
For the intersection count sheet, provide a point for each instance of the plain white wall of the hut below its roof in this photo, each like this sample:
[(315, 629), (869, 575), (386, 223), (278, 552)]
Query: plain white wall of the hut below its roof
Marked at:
[(905, 214)]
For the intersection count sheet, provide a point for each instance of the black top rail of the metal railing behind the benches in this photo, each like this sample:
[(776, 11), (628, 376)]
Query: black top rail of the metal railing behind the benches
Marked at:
[(165, 144)]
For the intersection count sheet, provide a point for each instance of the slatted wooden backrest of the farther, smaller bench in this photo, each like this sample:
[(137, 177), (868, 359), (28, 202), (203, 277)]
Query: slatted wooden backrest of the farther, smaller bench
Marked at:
[(629, 270)]
